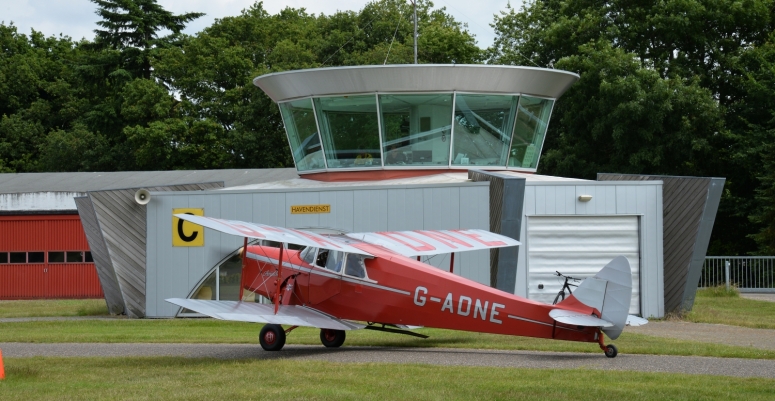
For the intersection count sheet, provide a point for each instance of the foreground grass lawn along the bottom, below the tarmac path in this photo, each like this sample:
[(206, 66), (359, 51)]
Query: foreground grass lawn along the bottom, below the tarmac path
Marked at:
[(167, 378)]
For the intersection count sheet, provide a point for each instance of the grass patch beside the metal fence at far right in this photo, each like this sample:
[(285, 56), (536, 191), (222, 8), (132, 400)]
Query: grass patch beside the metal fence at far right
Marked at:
[(716, 305)]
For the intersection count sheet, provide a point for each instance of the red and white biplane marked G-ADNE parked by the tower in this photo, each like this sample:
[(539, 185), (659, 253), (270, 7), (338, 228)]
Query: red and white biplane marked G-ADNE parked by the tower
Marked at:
[(338, 282)]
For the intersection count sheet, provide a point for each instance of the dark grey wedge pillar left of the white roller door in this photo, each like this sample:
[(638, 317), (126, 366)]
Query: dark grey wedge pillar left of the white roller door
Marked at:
[(507, 196)]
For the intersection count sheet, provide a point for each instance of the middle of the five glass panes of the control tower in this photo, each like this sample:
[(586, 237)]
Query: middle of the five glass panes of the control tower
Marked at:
[(416, 128)]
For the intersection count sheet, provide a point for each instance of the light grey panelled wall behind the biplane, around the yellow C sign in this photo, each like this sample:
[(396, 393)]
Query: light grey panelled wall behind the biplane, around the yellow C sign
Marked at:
[(174, 271)]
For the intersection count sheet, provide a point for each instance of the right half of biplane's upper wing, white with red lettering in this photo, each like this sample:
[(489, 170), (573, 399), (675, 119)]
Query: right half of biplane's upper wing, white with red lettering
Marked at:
[(434, 242)]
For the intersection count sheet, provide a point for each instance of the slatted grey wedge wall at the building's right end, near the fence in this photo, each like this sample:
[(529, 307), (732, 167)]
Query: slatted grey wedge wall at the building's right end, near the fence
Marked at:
[(689, 210)]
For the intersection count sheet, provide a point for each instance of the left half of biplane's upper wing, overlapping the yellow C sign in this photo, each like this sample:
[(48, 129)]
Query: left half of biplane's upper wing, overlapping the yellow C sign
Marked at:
[(271, 233)]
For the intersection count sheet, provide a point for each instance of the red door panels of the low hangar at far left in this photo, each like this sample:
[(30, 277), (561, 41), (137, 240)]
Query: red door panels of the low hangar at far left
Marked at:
[(44, 233)]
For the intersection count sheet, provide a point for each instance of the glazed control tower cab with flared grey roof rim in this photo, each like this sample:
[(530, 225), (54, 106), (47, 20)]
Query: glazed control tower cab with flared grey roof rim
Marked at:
[(386, 122)]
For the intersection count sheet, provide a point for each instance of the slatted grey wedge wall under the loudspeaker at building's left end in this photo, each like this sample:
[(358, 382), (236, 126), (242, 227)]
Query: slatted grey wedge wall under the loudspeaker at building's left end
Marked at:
[(123, 226)]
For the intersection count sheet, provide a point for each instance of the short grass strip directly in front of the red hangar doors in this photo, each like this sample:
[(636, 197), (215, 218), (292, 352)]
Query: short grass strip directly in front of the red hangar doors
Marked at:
[(53, 307)]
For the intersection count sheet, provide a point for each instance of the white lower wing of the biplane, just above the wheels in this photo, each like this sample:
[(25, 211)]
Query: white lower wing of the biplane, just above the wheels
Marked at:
[(289, 315)]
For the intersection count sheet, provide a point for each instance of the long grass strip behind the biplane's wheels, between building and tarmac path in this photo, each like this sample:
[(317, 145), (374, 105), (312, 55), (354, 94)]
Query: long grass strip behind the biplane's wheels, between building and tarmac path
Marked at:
[(213, 331)]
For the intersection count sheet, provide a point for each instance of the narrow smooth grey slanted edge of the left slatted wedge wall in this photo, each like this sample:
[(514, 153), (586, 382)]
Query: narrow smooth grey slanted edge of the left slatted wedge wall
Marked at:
[(99, 250)]
